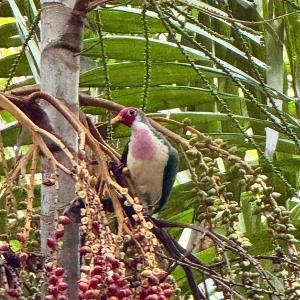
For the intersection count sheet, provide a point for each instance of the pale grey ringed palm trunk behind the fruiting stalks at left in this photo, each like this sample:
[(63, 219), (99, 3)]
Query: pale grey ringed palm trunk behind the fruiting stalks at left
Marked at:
[(60, 39)]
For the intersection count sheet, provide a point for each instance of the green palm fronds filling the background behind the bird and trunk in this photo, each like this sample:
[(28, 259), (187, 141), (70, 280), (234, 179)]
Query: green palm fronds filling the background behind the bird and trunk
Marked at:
[(134, 60)]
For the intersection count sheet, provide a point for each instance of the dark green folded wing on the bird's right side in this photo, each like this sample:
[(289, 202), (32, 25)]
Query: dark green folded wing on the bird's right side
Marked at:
[(169, 176)]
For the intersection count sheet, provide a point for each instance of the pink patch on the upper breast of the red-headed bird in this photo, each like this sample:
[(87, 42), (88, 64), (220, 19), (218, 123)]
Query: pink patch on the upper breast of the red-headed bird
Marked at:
[(142, 144)]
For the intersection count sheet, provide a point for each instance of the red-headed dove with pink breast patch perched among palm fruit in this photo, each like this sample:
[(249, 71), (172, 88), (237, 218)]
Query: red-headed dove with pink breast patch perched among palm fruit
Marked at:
[(151, 160)]
